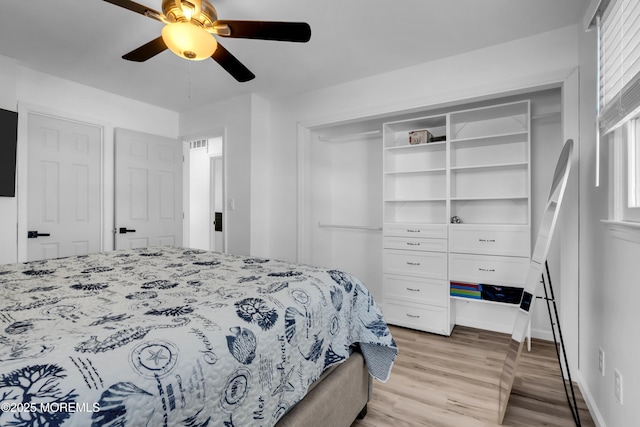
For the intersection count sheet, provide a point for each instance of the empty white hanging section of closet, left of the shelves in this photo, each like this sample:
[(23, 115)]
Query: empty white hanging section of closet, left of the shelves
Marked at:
[(343, 195)]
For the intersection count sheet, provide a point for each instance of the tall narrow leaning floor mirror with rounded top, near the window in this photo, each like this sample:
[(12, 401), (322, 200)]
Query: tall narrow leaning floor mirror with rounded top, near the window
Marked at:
[(534, 275)]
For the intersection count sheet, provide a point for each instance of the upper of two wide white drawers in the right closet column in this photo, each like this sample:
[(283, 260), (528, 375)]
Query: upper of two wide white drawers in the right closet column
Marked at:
[(495, 240)]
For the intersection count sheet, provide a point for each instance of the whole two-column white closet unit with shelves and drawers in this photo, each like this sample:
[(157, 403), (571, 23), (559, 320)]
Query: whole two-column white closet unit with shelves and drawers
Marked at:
[(457, 209)]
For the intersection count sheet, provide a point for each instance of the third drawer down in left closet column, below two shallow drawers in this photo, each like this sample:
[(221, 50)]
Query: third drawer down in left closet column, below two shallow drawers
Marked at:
[(414, 263)]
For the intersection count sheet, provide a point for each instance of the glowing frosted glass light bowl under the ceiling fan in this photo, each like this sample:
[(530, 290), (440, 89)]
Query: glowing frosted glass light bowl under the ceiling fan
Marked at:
[(189, 41)]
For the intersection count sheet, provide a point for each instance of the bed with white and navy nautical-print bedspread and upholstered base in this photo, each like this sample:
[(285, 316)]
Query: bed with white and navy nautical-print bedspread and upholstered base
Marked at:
[(170, 336)]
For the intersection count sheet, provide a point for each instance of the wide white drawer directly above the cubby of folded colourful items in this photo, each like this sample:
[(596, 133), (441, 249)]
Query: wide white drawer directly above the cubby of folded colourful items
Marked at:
[(488, 269)]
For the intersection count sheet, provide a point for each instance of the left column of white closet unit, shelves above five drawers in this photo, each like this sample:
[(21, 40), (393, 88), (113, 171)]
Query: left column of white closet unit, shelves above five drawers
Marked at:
[(415, 216)]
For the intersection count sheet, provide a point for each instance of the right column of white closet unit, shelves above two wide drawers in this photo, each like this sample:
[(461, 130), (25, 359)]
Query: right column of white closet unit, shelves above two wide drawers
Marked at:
[(490, 193)]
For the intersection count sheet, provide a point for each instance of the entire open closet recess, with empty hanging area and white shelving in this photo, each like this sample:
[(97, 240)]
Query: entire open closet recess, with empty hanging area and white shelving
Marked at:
[(423, 206)]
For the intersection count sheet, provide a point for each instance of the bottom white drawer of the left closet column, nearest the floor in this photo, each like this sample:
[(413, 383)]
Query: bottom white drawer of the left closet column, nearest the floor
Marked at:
[(416, 316)]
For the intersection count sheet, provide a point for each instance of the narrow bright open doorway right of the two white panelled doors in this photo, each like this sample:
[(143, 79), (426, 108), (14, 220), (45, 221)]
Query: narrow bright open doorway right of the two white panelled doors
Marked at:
[(205, 211)]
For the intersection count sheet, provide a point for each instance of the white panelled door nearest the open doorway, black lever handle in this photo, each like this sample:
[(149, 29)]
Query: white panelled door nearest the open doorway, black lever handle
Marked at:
[(148, 190)]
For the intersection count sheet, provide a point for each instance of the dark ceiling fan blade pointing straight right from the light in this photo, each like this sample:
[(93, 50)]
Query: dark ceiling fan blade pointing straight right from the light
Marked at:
[(268, 30)]
